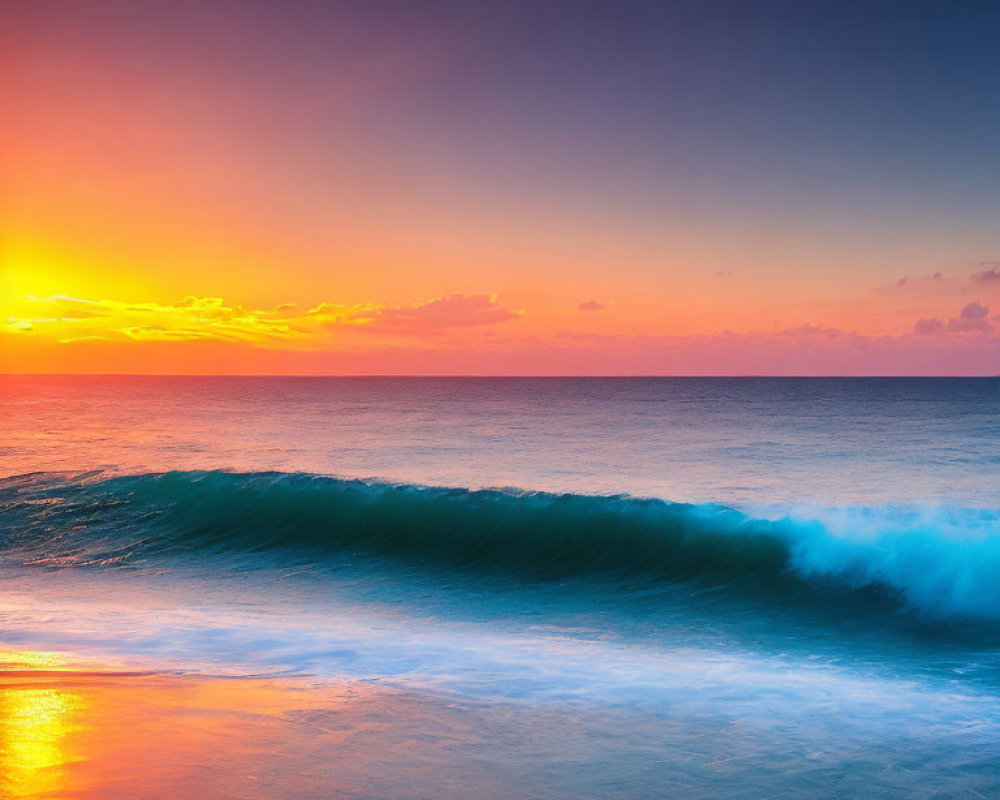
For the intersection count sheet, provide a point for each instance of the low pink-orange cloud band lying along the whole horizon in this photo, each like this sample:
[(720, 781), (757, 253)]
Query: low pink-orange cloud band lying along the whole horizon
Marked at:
[(804, 350)]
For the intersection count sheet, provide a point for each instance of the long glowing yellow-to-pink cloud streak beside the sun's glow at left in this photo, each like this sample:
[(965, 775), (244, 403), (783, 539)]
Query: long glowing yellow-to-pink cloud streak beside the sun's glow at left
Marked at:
[(71, 319)]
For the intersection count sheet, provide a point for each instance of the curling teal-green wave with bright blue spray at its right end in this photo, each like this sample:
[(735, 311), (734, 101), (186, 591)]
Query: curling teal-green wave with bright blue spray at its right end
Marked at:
[(943, 565)]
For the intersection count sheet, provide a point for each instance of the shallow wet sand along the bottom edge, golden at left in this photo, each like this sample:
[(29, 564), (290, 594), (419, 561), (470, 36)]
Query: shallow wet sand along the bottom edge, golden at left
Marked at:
[(82, 731)]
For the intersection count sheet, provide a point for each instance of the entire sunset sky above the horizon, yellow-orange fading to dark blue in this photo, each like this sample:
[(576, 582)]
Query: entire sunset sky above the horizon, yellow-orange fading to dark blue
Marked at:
[(694, 187)]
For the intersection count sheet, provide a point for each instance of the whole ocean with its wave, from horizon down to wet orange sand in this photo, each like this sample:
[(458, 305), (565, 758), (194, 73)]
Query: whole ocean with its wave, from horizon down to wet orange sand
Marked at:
[(738, 587)]
